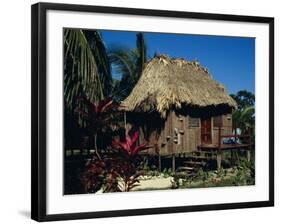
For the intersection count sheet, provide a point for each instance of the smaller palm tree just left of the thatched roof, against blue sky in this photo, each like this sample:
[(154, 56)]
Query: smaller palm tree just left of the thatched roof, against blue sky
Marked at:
[(130, 64)]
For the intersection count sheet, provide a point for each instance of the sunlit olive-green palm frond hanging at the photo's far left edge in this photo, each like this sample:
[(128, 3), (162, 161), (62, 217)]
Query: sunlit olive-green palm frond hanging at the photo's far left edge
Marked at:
[(83, 76)]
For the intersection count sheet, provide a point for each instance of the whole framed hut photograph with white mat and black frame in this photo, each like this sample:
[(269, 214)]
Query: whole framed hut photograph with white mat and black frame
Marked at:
[(139, 111)]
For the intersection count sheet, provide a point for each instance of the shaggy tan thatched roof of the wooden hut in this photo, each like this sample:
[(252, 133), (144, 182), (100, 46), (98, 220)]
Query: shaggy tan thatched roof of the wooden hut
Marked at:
[(167, 83)]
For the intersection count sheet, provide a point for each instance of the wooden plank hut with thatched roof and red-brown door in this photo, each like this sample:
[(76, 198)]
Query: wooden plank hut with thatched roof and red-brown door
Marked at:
[(178, 107)]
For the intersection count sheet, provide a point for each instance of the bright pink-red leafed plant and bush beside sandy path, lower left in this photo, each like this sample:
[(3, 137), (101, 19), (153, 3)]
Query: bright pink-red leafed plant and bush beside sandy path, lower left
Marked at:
[(118, 171)]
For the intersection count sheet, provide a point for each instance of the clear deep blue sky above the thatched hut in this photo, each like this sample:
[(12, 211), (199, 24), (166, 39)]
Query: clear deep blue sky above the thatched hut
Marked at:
[(230, 60)]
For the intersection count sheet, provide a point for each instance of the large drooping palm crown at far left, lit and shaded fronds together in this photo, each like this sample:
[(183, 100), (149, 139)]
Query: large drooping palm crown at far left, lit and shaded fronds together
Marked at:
[(86, 68)]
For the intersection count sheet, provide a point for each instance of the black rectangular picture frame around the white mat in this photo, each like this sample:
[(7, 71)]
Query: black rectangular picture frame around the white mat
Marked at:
[(39, 122)]
